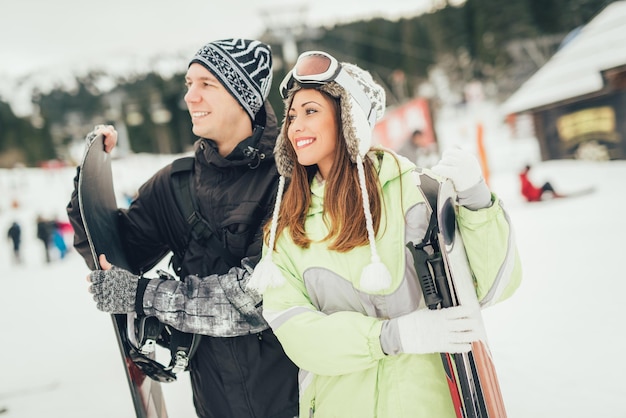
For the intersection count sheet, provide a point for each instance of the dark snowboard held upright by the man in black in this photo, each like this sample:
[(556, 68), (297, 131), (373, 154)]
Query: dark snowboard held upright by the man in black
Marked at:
[(98, 208)]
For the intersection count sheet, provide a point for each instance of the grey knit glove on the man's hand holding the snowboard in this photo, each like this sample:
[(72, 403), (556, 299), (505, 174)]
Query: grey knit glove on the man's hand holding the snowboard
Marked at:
[(114, 290)]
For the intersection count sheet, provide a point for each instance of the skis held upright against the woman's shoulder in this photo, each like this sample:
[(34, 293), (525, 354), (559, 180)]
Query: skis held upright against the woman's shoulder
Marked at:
[(446, 280)]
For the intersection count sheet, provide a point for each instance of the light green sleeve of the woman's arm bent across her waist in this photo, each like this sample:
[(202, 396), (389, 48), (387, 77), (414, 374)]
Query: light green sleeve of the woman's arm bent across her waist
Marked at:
[(305, 333)]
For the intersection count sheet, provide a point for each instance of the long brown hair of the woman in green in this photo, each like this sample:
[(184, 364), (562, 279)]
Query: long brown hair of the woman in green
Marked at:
[(343, 202)]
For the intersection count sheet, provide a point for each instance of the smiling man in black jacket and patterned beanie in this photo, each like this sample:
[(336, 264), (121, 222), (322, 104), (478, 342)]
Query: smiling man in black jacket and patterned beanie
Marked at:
[(239, 369)]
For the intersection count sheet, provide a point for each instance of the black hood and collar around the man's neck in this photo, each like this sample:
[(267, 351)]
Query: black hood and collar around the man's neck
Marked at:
[(254, 150)]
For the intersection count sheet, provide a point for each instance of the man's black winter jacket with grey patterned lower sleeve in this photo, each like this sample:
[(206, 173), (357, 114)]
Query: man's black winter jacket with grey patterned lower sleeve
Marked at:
[(241, 376)]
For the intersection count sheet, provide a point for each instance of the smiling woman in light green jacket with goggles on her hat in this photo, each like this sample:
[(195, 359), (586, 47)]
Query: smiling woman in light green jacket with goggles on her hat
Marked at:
[(339, 291)]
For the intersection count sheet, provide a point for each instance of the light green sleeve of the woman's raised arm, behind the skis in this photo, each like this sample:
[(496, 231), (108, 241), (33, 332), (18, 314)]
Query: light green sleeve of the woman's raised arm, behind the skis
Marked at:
[(490, 245)]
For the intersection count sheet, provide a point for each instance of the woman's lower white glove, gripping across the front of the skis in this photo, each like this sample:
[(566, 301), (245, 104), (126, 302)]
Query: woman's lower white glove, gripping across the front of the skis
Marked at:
[(449, 330)]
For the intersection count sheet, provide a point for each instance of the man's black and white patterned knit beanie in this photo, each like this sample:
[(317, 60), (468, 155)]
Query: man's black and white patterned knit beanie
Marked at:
[(243, 66)]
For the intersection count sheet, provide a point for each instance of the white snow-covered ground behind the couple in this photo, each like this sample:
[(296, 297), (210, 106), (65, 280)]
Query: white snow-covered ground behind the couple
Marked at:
[(557, 343)]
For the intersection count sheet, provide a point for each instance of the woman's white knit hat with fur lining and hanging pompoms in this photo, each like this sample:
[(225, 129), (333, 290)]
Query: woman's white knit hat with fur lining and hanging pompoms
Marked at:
[(357, 124)]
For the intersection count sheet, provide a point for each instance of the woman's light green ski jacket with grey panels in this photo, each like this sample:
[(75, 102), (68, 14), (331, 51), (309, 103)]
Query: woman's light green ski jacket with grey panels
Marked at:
[(331, 328)]
